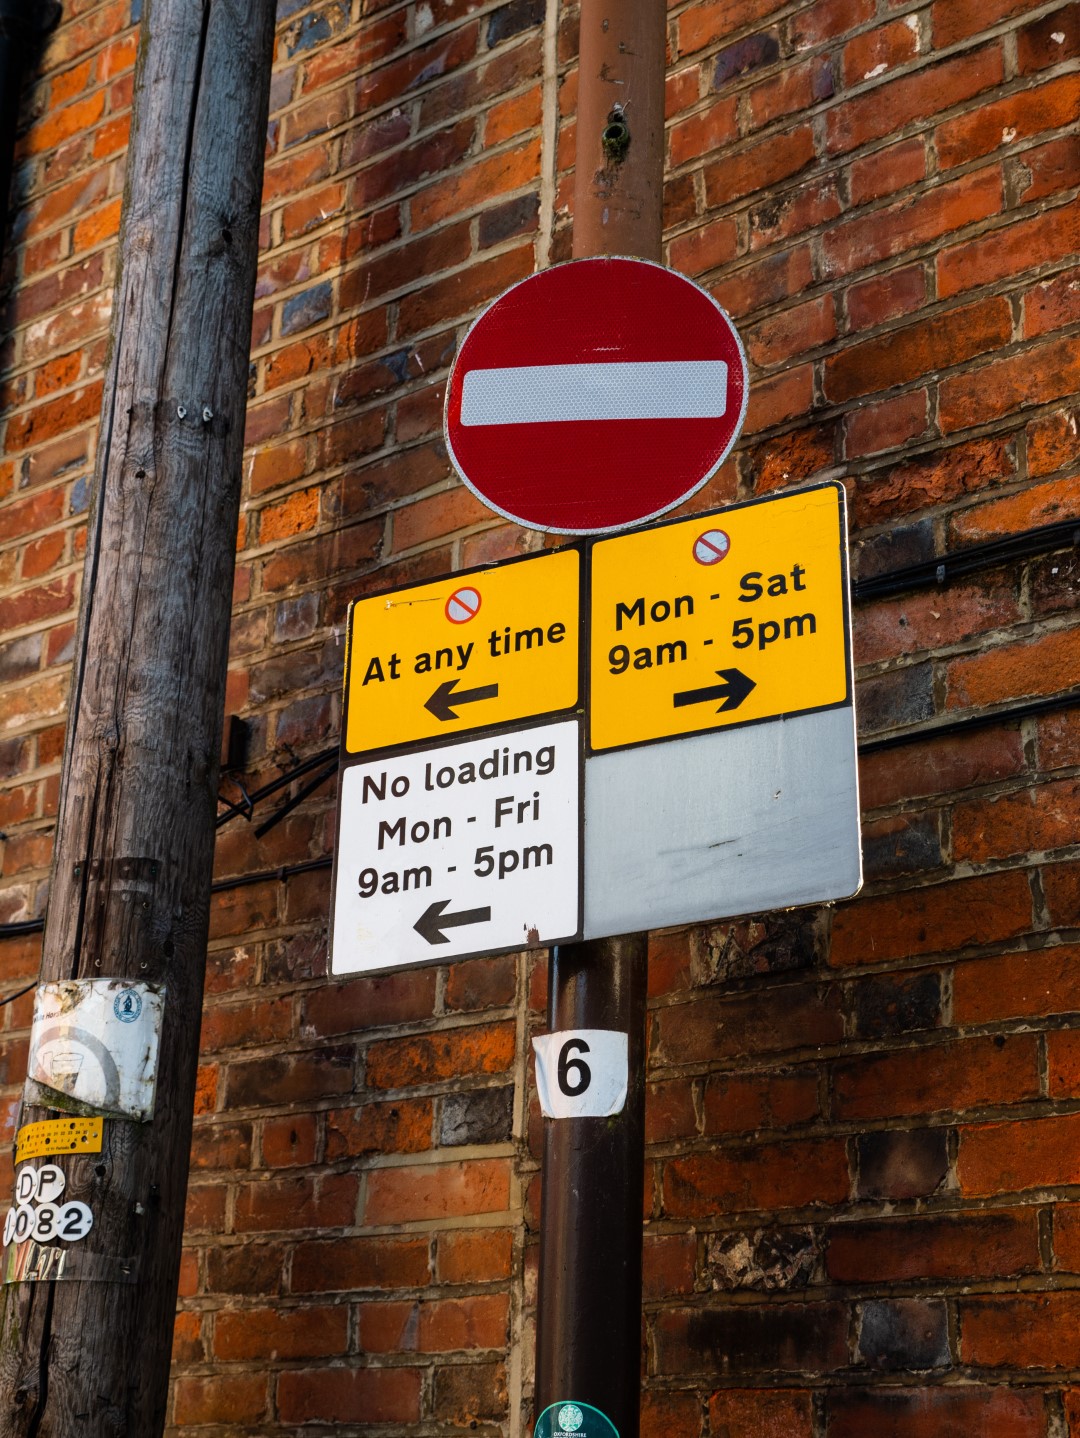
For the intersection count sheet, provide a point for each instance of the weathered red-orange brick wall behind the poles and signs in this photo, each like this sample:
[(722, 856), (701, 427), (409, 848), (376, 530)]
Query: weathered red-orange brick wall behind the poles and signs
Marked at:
[(864, 1125)]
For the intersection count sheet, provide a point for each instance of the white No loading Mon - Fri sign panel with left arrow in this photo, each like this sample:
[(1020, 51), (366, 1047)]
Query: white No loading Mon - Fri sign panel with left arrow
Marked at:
[(470, 848)]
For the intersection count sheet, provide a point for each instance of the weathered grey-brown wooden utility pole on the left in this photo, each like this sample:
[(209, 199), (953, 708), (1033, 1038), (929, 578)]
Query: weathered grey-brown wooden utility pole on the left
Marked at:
[(87, 1354)]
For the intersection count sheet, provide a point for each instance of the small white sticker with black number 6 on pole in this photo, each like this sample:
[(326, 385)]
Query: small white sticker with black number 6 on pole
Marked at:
[(582, 1073)]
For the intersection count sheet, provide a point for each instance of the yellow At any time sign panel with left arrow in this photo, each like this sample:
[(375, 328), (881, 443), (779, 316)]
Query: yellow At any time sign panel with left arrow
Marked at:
[(477, 649)]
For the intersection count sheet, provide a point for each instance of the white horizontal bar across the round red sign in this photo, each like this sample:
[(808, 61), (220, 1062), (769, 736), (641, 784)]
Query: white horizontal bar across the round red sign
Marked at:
[(554, 393)]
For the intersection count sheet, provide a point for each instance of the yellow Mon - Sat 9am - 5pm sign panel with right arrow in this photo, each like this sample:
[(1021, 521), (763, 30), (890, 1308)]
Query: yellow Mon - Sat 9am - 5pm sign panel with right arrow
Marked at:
[(720, 620)]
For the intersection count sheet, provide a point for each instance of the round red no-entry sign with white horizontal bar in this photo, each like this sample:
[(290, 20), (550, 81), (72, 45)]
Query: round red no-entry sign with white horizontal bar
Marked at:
[(595, 396)]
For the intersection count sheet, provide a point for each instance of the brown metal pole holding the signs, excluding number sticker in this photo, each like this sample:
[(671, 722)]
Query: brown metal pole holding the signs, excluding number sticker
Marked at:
[(589, 1332)]
